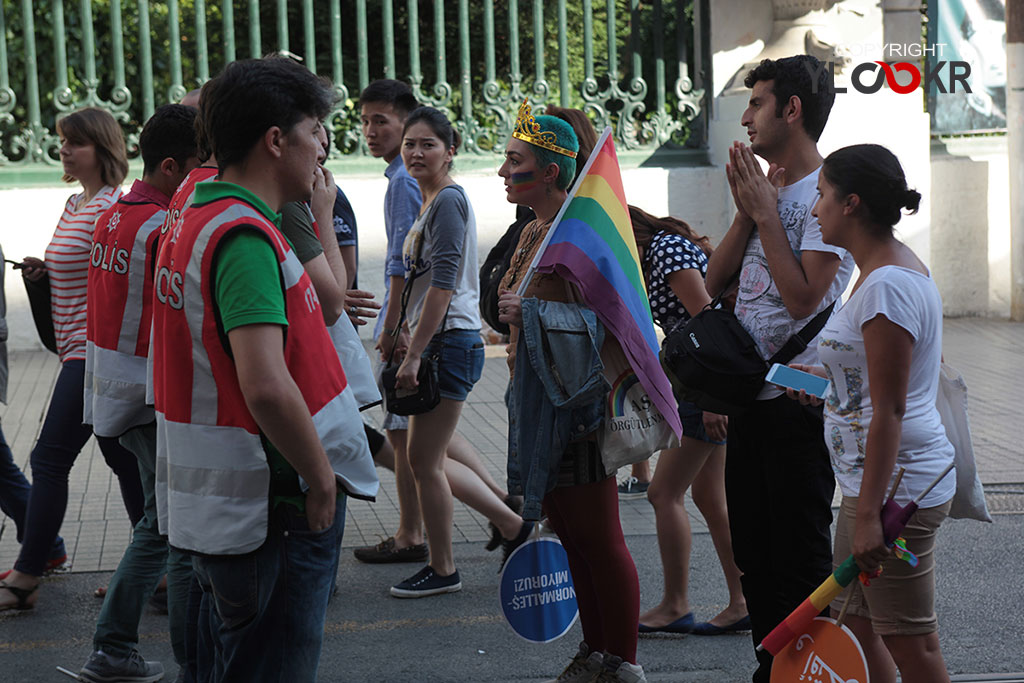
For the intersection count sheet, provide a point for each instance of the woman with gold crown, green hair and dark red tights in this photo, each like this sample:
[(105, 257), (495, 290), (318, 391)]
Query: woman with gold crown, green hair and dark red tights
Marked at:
[(557, 406)]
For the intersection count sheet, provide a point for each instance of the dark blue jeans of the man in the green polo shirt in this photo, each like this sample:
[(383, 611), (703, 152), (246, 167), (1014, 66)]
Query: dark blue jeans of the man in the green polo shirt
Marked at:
[(267, 610)]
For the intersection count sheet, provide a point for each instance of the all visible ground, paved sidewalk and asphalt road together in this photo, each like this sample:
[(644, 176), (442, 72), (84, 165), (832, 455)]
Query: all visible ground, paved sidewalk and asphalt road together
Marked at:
[(371, 636)]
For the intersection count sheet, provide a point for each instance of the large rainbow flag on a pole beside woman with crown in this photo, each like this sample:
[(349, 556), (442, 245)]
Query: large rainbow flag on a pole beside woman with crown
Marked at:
[(591, 244)]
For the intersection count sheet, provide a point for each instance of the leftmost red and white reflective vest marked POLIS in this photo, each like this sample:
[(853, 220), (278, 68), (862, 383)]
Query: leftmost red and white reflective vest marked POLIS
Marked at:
[(120, 311)]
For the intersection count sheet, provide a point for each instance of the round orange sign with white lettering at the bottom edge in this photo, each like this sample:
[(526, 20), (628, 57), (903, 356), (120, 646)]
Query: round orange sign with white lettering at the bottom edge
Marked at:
[(825, 653)]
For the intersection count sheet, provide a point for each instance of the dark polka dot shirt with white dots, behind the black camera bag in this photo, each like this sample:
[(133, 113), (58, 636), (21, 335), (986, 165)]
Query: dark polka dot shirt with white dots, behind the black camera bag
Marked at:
[(667, 253)]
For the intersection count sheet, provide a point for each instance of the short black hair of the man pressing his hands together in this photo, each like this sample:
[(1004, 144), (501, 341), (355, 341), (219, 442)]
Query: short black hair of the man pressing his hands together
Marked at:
[(795, 76)]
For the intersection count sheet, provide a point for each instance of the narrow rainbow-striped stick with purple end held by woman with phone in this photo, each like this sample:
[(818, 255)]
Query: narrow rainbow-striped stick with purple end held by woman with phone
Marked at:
[(894, 519)]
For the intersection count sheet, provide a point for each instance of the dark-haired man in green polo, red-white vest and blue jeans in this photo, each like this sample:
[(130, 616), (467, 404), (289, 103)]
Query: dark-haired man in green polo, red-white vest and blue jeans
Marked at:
[(260, 439)]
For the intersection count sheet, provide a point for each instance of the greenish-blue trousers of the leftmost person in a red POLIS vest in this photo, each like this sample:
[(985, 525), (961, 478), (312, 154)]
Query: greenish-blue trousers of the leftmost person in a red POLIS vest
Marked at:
[(145, 562)]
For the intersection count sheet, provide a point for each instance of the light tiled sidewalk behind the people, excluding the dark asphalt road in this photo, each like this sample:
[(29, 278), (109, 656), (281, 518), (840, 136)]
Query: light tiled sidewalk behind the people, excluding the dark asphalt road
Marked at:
[(988, 353)]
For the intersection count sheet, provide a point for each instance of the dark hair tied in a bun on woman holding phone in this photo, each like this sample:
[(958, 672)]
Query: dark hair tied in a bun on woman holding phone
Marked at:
[(873, 174)]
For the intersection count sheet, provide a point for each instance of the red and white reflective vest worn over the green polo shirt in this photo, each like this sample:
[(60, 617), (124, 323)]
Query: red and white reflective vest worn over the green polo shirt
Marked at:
[(212, 473)]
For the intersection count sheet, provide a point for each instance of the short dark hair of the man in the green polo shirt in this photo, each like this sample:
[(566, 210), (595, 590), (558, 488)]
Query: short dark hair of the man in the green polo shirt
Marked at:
[(252, 96)]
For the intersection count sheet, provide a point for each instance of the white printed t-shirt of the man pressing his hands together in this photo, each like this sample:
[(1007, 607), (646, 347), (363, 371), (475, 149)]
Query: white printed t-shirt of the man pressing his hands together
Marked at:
[(759, 306)]
